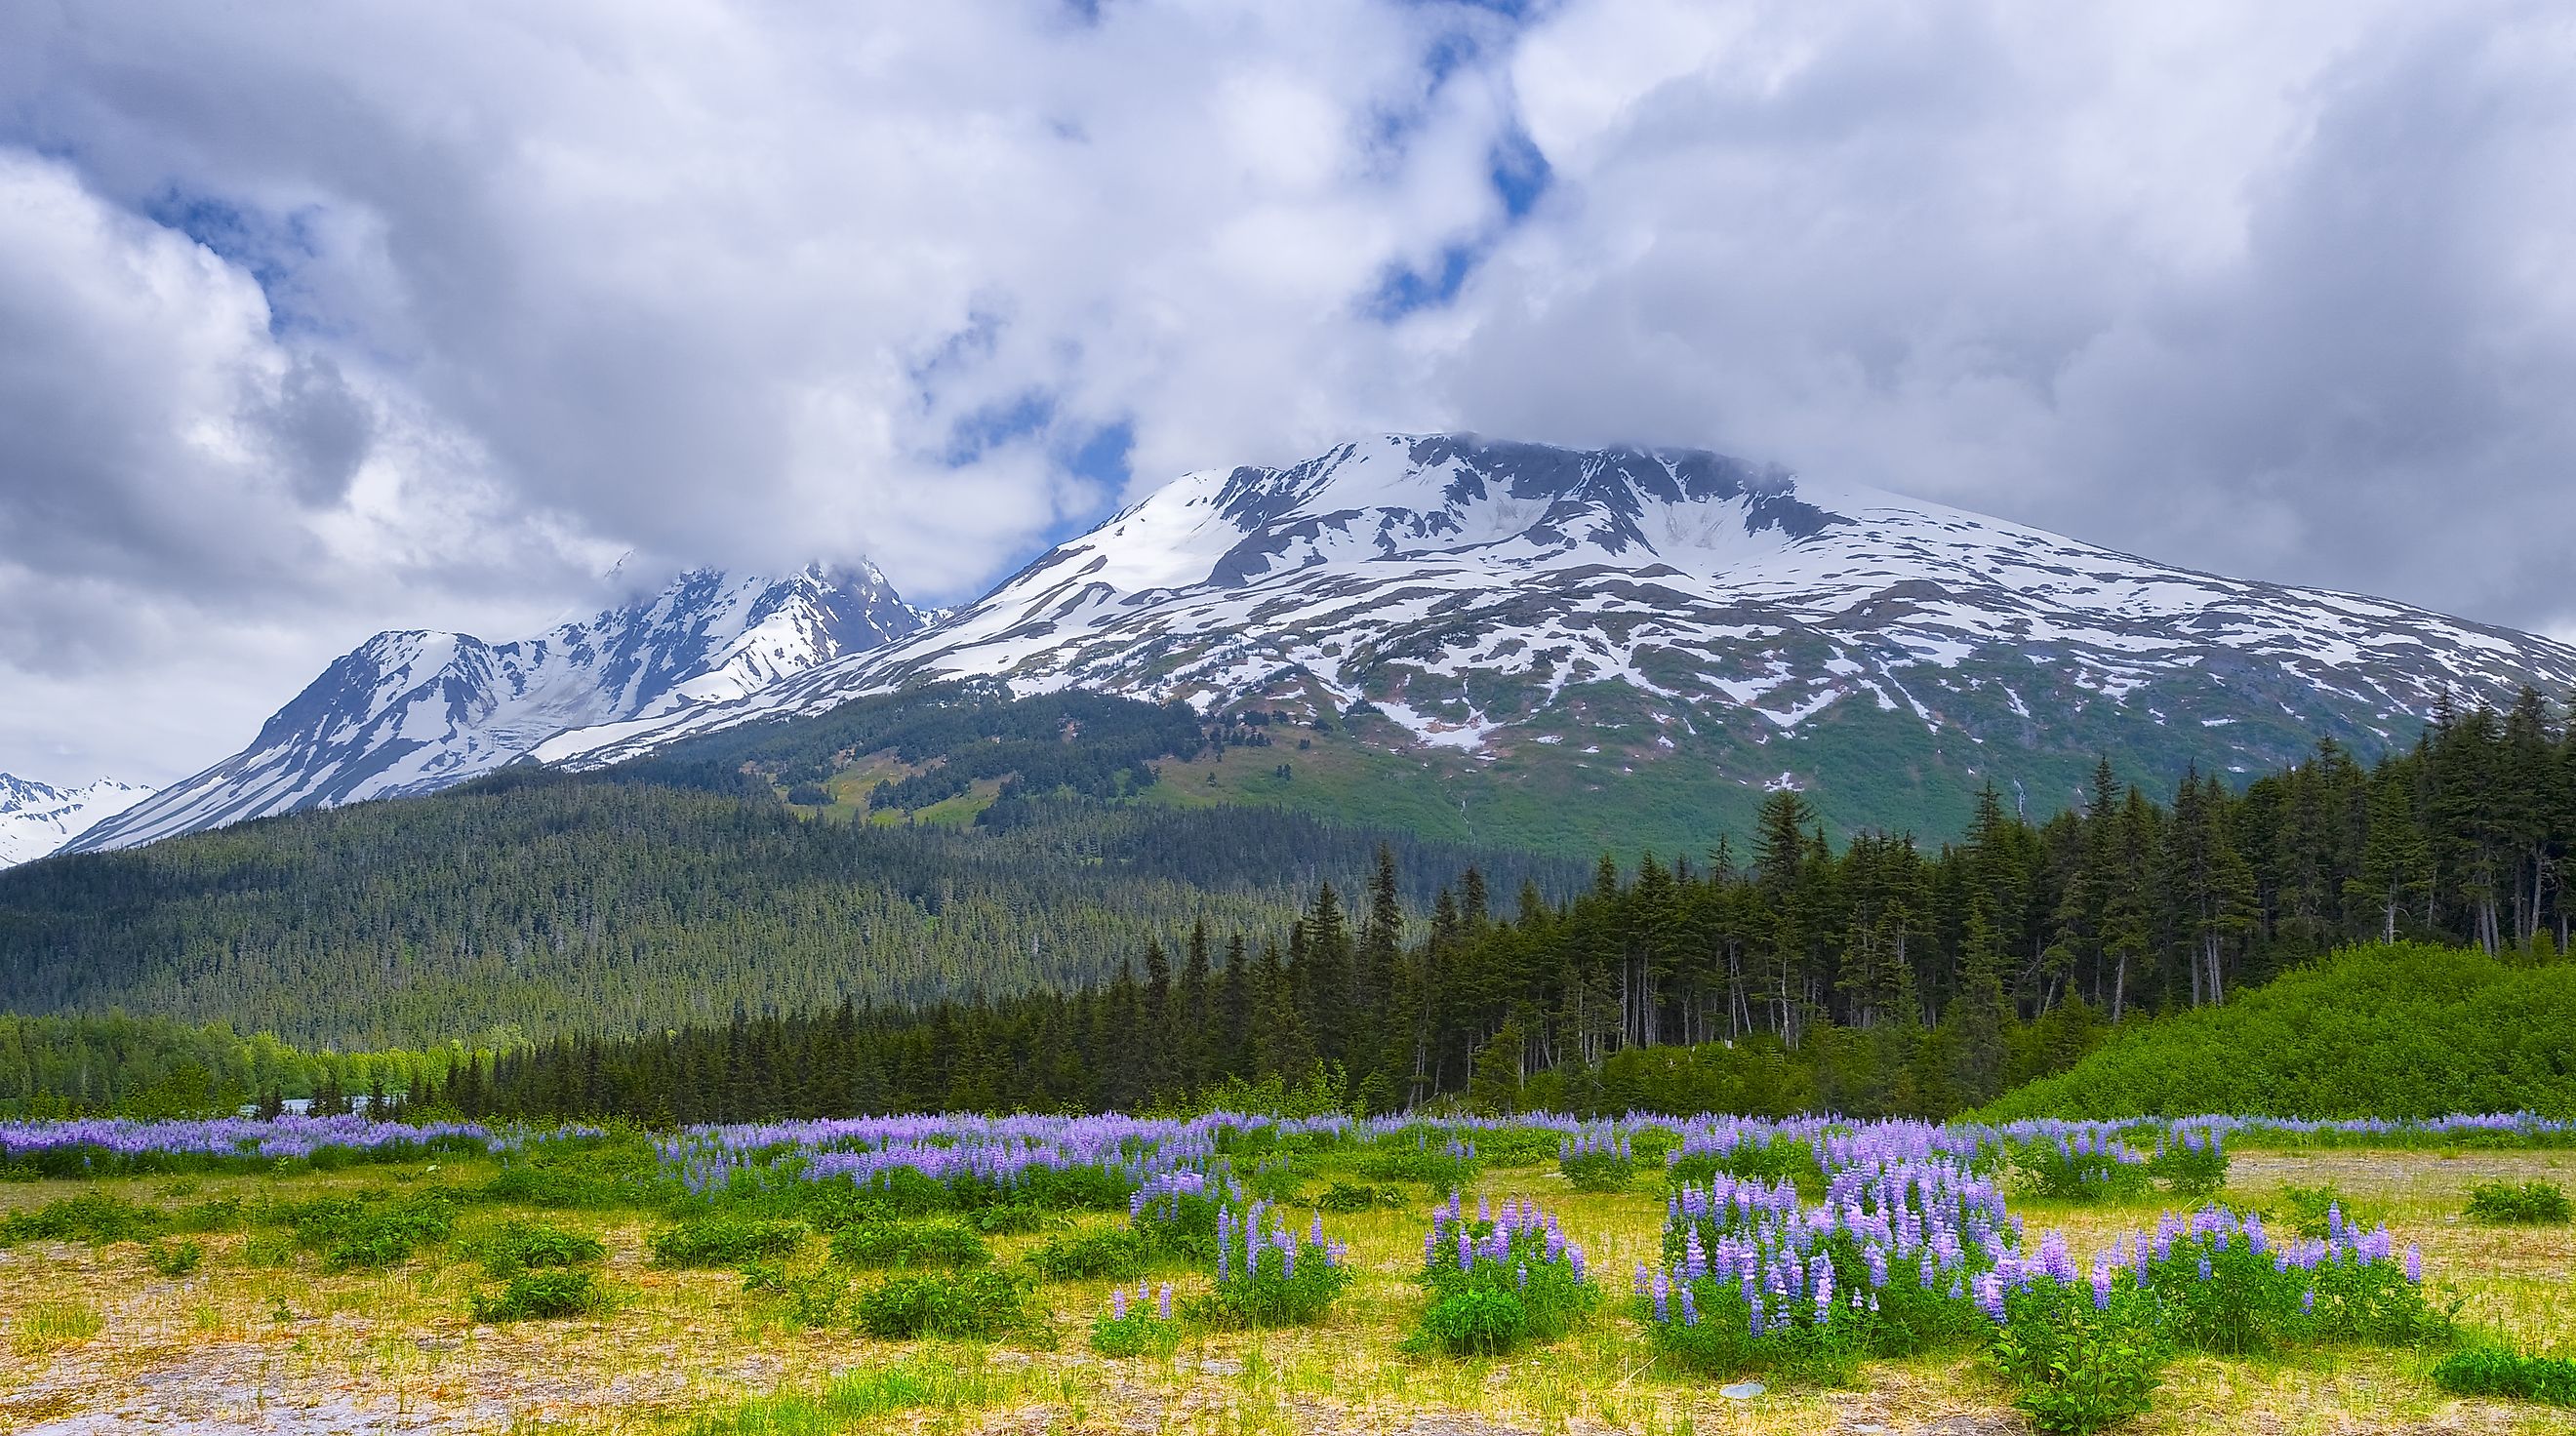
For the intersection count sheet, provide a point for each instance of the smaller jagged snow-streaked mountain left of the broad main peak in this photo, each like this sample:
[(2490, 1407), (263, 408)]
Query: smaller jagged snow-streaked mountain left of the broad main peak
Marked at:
[(421, 712)]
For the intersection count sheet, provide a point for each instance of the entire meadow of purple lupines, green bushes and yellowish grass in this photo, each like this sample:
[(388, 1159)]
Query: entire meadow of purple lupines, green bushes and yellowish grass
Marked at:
[(1240, 1275)]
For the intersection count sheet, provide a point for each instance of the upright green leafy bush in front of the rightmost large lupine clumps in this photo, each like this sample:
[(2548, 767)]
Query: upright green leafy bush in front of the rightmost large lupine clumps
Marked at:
[(2083, 1360)]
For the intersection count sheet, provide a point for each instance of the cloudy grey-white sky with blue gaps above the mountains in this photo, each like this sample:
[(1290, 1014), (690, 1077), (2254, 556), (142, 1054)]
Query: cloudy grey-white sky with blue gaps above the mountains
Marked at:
[(321, 320)]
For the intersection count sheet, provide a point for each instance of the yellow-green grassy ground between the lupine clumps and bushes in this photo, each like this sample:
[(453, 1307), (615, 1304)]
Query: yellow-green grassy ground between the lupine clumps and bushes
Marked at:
[(261, 1339)]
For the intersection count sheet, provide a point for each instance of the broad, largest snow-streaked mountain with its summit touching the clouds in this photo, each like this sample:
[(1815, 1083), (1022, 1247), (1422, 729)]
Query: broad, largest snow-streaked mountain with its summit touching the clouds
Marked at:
[(1493, 596)]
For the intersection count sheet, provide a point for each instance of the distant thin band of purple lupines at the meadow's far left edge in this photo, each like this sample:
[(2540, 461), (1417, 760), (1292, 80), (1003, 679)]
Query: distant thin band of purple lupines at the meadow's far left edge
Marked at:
[(115, 1146)]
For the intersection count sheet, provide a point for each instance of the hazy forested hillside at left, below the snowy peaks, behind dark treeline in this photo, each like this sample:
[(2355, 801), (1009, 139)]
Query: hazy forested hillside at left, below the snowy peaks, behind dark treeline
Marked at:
[(545, 902)]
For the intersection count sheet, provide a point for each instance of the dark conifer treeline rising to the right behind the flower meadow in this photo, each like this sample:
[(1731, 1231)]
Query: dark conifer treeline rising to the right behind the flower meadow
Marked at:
[(1879, 979)]
